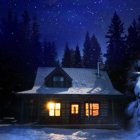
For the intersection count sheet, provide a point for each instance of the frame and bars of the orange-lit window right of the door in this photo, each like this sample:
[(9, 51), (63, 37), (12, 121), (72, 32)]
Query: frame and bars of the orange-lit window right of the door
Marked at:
[(91, 109)]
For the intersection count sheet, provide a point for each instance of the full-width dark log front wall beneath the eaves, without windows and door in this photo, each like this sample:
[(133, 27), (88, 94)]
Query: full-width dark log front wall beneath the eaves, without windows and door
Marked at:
[(32, 108)]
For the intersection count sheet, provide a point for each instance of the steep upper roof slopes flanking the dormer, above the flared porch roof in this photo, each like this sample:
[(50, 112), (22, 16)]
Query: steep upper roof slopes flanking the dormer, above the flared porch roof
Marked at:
[(81, 77)]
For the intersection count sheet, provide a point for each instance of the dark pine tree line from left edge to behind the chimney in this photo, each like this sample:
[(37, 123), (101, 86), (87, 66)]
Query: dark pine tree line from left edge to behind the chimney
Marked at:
[(22, 52)]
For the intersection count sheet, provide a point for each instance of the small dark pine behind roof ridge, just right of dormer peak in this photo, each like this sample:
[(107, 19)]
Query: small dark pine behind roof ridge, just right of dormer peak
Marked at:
[(66, 60)]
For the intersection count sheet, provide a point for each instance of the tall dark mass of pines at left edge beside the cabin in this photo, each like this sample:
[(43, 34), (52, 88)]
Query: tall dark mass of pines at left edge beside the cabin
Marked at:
[(20, 49)]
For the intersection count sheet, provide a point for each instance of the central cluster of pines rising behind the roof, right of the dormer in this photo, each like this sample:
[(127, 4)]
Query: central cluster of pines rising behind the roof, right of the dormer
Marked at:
[(91, 54)]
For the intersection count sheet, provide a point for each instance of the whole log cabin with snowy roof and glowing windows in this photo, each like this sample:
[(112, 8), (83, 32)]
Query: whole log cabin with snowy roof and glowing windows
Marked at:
[(71, 97)]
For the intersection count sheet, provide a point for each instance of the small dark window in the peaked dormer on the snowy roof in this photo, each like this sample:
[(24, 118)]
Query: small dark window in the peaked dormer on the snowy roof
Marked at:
[(58, 81)]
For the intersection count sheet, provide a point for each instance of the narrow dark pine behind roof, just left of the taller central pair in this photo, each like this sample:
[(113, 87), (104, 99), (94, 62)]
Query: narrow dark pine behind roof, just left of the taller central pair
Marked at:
[(78, 60)]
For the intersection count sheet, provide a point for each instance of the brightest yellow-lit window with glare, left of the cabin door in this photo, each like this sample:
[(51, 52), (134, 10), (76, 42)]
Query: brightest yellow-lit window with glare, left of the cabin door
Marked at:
[(54, 109)]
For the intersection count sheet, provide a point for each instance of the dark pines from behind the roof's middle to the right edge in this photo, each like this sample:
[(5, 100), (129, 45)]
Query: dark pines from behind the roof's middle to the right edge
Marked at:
[(123, 50)]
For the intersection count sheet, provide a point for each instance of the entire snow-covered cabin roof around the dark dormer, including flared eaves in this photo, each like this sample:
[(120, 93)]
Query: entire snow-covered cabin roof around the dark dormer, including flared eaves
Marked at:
[(84, 81)]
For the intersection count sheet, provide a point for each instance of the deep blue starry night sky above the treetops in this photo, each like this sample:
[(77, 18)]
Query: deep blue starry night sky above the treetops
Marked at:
[(68, 20)]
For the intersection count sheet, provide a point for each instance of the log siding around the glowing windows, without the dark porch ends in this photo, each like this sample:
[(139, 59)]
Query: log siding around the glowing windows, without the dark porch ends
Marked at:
[(65, 110)]
